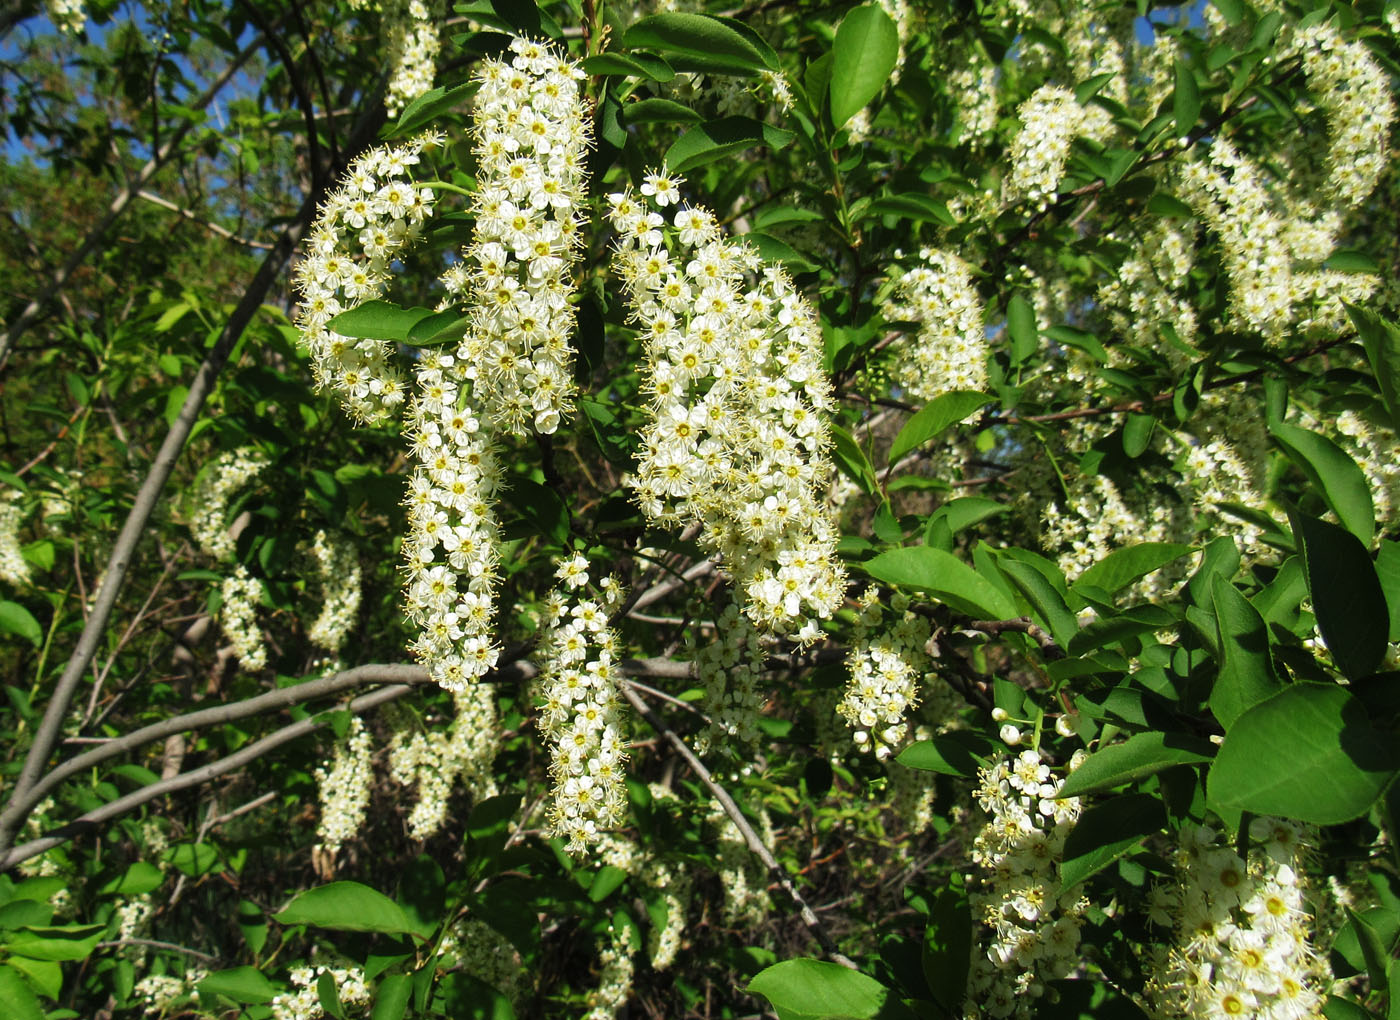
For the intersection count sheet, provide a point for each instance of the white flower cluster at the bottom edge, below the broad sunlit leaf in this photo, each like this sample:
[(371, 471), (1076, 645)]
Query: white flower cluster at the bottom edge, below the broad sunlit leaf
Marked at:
[(1244, 941)]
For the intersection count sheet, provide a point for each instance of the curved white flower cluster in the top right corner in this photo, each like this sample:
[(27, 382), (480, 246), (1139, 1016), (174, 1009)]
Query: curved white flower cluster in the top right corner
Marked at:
[(1354, 92)]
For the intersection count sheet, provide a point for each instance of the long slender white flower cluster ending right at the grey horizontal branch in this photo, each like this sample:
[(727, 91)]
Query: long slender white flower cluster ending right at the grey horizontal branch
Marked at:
[(451, 551)]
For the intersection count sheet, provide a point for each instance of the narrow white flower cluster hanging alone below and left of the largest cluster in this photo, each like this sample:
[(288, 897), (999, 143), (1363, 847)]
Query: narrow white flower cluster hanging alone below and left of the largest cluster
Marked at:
[(582, 718)]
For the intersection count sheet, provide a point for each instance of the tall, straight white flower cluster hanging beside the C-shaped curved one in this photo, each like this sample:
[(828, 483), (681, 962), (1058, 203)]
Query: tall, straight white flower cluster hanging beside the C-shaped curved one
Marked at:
[(531, 136)]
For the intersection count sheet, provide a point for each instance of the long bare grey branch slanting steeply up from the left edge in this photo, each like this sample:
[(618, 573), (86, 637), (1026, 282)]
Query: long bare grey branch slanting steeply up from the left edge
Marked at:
[(149, 495)]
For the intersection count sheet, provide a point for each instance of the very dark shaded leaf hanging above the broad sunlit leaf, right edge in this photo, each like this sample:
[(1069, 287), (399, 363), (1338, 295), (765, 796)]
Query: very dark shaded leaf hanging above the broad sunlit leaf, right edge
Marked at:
[(1347, 598)]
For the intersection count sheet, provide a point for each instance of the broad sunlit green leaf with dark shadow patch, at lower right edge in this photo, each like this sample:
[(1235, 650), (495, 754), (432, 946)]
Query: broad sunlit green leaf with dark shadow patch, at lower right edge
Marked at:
[(1308, 753)]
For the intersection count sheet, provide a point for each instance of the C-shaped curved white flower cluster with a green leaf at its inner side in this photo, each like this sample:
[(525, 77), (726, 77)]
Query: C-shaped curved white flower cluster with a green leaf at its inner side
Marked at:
[(367, 222)]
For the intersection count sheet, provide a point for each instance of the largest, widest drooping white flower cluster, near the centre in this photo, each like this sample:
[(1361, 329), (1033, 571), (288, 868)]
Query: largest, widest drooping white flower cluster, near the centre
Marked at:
[(737, 441)]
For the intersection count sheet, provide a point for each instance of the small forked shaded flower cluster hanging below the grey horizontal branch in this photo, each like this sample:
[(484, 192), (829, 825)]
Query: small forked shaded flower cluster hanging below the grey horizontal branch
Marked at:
[(436, 762)]
